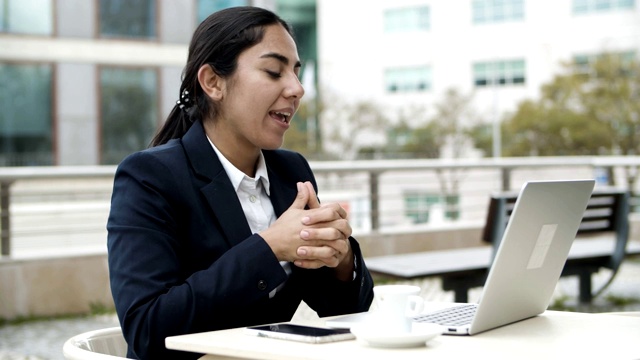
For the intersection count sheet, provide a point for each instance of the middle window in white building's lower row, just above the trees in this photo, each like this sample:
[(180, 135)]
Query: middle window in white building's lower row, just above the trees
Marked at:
[(499, 73)]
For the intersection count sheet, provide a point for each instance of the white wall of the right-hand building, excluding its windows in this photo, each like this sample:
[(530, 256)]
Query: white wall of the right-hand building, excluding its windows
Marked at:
[(354, 51)]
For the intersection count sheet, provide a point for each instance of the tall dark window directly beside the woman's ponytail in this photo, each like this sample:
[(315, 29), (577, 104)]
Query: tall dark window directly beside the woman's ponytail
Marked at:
[(128, 110)]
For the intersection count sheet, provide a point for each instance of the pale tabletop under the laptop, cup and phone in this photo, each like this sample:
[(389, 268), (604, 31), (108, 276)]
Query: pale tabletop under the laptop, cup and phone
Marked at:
[(551, 335)]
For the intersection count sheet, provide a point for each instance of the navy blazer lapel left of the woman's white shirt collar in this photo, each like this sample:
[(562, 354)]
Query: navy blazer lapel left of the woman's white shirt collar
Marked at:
[(216, 186)]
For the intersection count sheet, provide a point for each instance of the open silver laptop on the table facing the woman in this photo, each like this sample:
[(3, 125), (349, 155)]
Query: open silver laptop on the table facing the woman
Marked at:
[(527, 264)]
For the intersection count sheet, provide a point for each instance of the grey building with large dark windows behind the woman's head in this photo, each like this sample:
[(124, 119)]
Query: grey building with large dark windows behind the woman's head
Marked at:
[(86, 82)]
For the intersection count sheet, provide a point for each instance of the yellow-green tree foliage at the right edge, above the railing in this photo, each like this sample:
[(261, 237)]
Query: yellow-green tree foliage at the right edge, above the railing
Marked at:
[(588, 110)]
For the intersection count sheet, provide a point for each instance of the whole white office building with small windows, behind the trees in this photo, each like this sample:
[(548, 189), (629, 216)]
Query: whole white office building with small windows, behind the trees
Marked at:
[(404, 53)]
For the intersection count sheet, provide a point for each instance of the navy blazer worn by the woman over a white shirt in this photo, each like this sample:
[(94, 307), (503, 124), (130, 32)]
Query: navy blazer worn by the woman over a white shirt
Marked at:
[(182, 258)]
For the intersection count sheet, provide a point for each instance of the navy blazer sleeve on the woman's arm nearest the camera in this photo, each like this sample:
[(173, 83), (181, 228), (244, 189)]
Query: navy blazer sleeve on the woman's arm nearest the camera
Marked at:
[(158, 287)]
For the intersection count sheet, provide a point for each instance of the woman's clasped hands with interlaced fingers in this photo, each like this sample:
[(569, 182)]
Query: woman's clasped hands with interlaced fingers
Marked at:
[(312, 235)]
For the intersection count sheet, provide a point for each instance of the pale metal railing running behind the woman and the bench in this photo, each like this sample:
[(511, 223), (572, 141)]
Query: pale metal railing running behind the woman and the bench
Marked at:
[(49, 209)]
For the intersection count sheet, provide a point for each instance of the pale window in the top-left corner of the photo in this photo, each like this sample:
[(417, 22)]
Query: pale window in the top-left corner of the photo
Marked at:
[(26, 17)]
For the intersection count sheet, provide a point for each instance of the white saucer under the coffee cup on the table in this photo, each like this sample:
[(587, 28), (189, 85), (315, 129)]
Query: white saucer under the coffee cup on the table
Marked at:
[(379, 338)]
